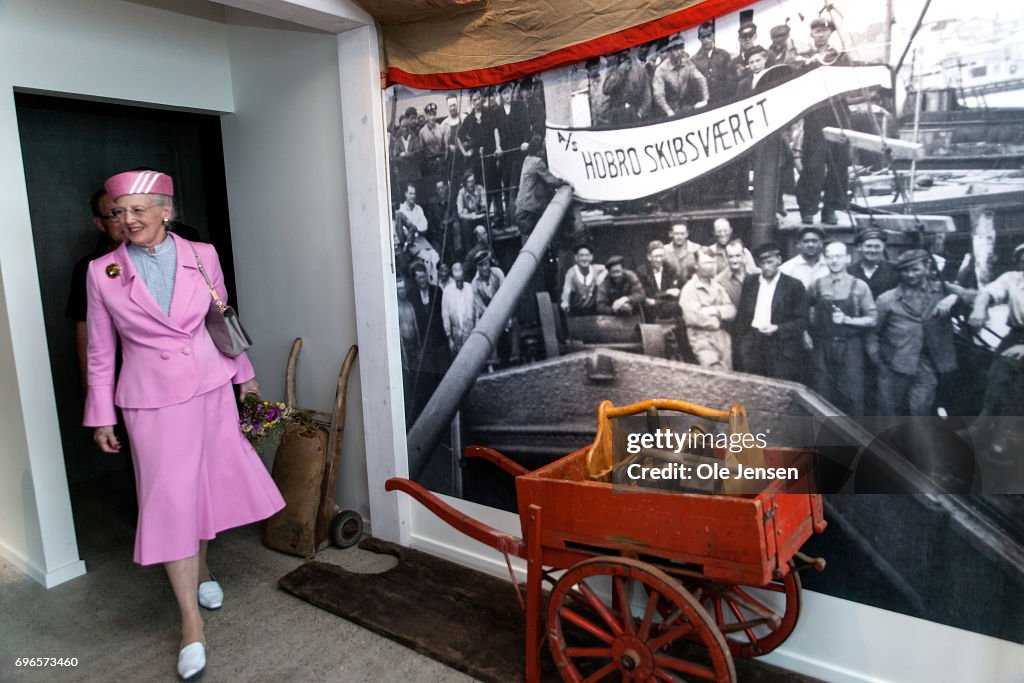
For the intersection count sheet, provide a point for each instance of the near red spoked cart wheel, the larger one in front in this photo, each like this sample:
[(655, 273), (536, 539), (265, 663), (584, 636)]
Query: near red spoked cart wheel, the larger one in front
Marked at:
[(630, 643)]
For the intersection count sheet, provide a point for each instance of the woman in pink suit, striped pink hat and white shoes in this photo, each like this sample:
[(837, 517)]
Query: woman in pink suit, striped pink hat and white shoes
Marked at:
[(196, 474)]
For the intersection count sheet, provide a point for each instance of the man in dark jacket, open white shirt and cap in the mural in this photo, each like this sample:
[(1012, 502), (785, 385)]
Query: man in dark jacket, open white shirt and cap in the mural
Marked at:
[(772, 320)]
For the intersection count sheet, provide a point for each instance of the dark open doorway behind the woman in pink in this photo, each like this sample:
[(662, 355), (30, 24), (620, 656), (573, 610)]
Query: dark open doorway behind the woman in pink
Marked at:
[(69, 149)]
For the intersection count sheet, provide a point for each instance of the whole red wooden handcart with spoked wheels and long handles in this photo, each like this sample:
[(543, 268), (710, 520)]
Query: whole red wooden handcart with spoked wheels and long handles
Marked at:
[(657, 585)]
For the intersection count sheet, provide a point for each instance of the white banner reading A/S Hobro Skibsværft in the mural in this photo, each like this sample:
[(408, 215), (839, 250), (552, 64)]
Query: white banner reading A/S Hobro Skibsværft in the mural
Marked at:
[(631, 163)]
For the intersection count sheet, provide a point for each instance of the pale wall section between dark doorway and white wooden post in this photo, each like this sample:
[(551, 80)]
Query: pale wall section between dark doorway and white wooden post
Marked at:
[(286, 185)]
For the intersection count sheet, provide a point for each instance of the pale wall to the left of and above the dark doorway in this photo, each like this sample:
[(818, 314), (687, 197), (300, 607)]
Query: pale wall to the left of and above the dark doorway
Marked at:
[(100, 50)]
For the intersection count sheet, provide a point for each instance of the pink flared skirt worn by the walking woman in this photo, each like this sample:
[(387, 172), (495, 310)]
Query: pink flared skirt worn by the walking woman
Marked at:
[(196, 475)]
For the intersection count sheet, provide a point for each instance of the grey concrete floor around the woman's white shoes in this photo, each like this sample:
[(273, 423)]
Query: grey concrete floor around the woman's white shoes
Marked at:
[(122, 623)]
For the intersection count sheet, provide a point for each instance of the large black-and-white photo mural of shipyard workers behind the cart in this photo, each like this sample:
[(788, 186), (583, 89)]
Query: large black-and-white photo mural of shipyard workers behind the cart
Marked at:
[(816, 212)]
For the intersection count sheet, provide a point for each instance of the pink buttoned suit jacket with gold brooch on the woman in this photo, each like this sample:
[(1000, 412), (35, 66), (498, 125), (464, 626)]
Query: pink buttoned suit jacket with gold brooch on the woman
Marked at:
[(166, 360)]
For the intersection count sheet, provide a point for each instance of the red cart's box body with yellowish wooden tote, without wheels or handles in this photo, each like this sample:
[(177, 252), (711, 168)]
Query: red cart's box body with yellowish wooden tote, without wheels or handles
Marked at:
[(742, 539)]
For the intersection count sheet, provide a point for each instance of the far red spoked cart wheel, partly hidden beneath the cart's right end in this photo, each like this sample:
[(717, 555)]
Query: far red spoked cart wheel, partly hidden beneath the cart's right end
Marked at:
[(751, 627)]
